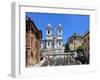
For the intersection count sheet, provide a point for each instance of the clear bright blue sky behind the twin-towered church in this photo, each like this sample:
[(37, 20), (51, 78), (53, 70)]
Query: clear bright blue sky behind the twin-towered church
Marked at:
[(71, 23)]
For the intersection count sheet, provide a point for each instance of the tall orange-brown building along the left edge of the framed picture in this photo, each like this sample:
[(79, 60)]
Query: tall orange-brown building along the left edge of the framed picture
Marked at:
[(33, 41)]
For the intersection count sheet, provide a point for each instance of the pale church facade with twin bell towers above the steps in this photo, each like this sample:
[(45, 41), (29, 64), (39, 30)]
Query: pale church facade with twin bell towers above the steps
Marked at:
[(53, 41)]
